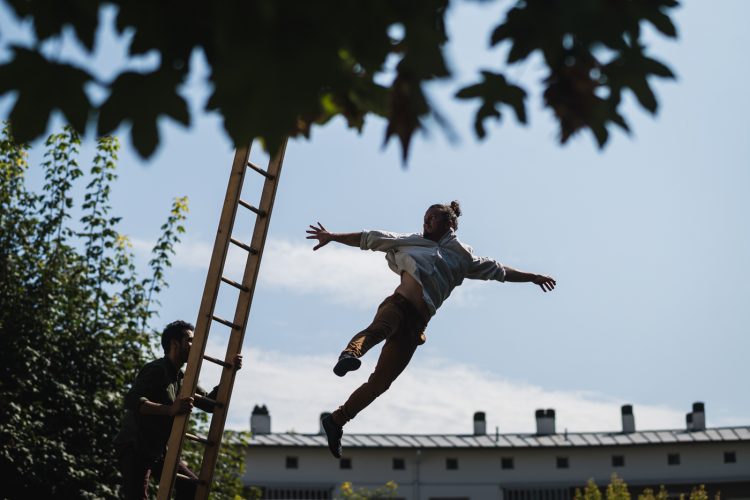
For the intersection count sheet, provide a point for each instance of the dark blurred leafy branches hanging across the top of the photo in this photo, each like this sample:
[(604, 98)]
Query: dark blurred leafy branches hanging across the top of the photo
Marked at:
[(278, 68)]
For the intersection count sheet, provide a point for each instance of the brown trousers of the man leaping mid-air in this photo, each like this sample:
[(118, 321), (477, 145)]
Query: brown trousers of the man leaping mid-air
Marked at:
[(402, 327)]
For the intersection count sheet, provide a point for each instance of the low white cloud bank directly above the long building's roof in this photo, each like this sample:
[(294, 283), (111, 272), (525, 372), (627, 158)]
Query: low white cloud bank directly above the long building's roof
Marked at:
[(434, 396)]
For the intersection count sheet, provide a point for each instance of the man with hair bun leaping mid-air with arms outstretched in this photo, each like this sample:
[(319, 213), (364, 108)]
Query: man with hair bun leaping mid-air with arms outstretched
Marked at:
[(431, 265)]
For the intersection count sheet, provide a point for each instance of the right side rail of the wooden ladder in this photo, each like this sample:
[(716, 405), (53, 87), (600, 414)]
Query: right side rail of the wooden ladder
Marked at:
[(242, 313)]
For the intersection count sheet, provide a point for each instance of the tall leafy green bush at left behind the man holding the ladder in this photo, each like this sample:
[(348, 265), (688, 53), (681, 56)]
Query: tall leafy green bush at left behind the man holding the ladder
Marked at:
[(73, 322)]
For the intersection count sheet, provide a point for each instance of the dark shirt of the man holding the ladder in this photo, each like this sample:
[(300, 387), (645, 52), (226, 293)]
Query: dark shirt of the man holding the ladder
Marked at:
[(159, 382)]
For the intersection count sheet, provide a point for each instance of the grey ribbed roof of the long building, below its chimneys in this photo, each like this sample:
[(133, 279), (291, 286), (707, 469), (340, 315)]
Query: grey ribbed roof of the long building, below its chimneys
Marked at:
[(569, 439)]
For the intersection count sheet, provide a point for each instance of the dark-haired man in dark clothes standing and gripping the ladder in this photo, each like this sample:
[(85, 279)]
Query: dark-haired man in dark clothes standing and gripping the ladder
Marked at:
[(150, 408)]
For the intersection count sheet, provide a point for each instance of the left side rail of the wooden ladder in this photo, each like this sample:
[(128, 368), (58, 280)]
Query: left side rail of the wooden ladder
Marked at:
[(203, 322)]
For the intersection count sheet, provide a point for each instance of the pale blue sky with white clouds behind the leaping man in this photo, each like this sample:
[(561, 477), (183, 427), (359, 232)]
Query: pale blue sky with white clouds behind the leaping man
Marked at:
[(647, 240)]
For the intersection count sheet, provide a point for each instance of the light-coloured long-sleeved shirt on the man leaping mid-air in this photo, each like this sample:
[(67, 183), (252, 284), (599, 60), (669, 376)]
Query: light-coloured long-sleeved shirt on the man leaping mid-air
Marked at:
[(438, 267)]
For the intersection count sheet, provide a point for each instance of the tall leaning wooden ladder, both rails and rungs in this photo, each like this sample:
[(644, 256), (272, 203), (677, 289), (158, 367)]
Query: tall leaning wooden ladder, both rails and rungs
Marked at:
[(206, 317)]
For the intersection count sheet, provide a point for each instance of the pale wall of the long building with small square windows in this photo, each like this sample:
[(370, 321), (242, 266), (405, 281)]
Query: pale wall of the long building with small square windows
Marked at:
[(480, 476)]
